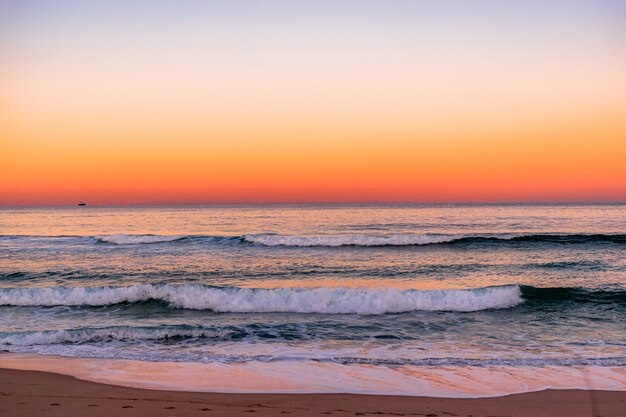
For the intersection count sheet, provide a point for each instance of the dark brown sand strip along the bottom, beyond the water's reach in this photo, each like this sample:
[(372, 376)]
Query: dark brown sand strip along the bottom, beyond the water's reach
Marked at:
[(34, 393)]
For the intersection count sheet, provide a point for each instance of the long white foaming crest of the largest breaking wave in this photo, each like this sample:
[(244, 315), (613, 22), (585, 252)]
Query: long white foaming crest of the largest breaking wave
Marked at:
[(324, 300)]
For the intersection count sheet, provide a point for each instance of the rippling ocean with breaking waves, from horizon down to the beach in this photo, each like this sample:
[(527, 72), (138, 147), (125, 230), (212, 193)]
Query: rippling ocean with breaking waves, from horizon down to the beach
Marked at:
[(401, 299)]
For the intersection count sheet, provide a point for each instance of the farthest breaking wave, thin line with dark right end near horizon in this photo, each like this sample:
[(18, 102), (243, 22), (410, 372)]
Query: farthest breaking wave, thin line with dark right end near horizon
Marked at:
[(359, 240)]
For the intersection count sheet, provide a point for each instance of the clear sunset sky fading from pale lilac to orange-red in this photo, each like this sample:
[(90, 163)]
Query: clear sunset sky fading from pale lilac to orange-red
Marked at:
[(243, 101)]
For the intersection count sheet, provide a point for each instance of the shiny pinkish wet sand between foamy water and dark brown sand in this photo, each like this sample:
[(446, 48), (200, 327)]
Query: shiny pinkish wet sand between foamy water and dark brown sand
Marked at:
[(323, 378)]
